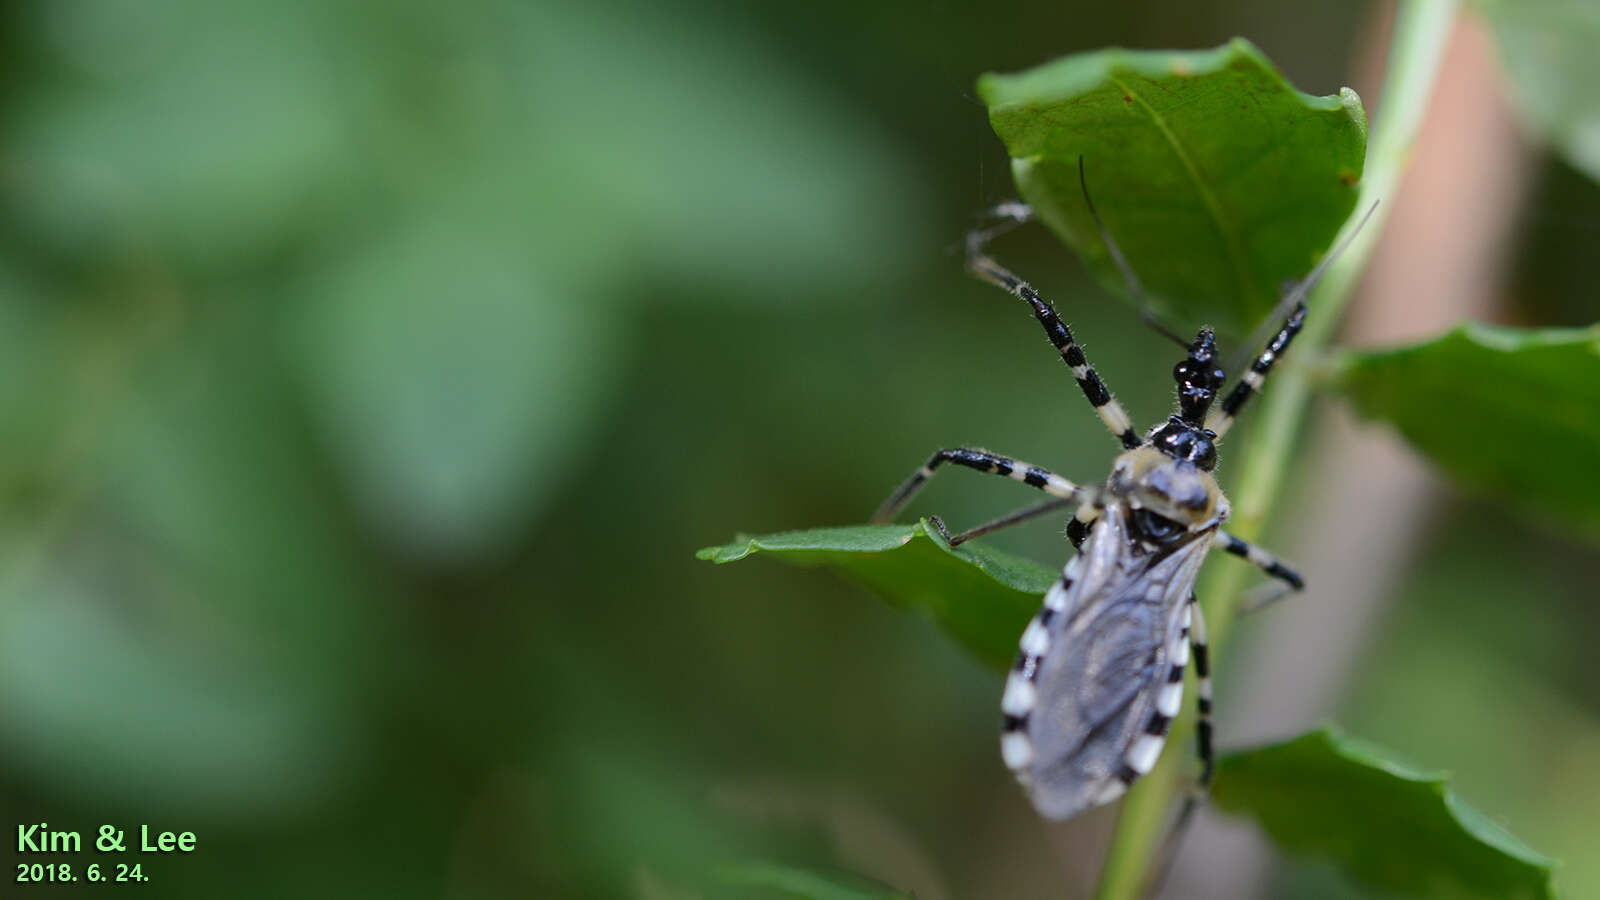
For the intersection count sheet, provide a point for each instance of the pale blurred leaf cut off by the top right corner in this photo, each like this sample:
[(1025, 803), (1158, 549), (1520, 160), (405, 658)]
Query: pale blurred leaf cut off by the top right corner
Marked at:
[(1548, 50)]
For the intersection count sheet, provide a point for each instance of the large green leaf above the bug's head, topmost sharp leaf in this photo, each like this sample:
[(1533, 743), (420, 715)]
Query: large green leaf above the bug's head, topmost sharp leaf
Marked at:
[(1218, 180)]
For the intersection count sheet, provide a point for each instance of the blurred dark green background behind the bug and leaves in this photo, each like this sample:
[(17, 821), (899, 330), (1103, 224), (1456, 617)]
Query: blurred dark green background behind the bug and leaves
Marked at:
[(369, 376)]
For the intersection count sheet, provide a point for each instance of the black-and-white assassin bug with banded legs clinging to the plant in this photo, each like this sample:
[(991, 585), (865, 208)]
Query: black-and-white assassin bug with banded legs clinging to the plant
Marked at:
[(1098, 680)]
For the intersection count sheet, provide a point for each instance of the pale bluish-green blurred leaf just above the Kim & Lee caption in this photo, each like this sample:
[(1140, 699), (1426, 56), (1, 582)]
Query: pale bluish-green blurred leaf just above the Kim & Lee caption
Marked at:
[(113, 712)]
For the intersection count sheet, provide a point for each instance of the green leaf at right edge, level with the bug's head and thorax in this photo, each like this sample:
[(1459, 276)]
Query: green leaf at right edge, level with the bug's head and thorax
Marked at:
[(1513, 412)]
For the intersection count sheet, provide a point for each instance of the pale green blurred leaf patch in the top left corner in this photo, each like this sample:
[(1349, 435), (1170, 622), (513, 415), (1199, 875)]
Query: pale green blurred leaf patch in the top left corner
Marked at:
[(209, 131)]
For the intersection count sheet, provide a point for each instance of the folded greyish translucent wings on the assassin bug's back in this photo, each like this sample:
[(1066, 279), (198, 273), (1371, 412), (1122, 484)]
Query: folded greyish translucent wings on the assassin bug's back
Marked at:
[(1106, 675)]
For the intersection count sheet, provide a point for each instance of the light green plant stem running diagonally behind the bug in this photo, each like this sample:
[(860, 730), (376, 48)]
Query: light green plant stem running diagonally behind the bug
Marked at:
[(1420, 33)]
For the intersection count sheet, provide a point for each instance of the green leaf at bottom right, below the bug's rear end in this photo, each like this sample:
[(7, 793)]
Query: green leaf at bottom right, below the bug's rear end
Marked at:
[(1391, 826)]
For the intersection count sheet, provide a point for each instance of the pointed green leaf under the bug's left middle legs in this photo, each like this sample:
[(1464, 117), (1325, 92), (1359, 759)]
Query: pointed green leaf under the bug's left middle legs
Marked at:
[(978, 595)]
